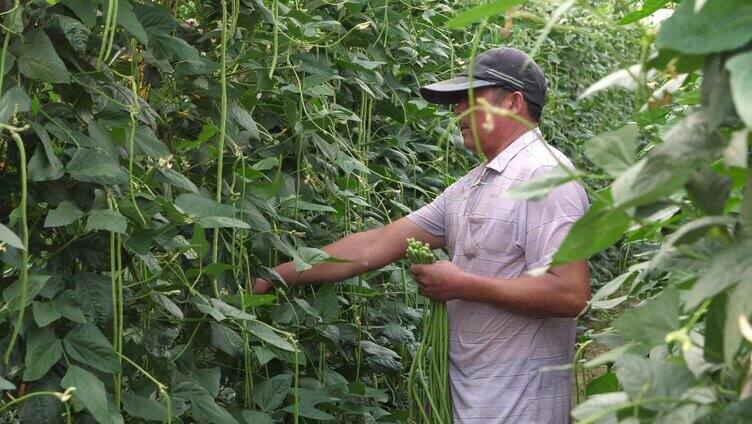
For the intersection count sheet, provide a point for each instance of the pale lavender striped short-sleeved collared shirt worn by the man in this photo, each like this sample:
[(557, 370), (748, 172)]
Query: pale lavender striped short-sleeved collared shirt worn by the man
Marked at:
[(498, 358)]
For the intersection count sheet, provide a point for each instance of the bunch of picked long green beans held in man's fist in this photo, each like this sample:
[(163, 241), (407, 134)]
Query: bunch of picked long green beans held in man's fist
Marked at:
[(433, 344)]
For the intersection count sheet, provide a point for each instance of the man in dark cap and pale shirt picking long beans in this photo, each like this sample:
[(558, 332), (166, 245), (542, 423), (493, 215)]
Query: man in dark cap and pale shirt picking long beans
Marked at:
[(505, 326)]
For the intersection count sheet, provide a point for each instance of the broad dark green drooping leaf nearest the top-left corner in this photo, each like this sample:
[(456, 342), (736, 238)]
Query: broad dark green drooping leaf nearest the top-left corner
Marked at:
[(39, 60)]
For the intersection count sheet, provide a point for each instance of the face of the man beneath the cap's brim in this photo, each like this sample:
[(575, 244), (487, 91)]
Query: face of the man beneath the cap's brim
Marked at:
[(490, 127)]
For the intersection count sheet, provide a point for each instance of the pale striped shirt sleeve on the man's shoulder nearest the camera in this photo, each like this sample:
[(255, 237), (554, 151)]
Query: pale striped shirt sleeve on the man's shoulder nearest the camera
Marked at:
[(545, 223)]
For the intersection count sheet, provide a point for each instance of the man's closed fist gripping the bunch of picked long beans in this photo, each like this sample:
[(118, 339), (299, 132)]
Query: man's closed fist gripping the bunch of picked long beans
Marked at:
[(440, 281)]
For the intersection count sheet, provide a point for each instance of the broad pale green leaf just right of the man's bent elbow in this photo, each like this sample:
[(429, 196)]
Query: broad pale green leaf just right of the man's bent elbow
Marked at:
[(650, 322)]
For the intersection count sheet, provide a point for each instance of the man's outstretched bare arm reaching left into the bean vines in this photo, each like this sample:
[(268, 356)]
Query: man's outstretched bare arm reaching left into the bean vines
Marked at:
[(364, 251)]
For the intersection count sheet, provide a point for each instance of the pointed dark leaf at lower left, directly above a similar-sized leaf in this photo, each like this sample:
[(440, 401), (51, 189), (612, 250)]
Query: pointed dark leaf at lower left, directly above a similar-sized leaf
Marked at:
[(88, 345)]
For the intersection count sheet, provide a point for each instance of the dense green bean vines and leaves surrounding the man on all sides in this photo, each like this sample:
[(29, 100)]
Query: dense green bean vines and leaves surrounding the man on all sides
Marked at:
[(158, 155)]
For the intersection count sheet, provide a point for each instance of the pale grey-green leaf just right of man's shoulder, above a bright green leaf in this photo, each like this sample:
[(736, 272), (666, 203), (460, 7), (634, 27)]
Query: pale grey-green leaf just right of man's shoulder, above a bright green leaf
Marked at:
[(613, 151)]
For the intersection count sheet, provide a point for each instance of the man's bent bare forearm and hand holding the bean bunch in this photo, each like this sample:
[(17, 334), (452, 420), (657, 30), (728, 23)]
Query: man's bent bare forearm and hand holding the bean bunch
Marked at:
[(563, 291)]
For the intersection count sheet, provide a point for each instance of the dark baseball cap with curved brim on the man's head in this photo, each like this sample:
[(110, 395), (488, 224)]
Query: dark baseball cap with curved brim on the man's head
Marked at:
[(505, 67)]
